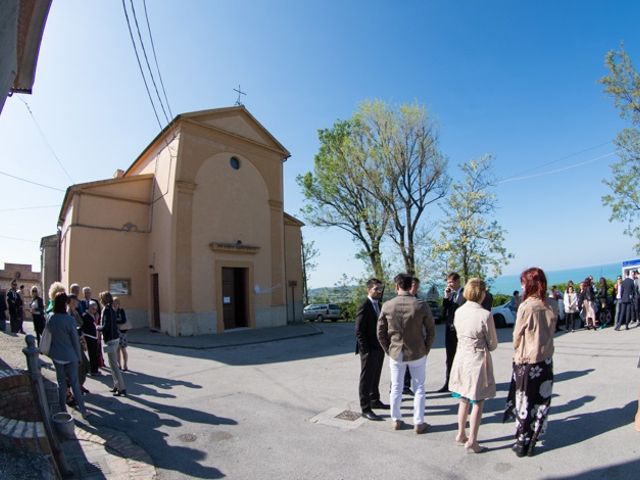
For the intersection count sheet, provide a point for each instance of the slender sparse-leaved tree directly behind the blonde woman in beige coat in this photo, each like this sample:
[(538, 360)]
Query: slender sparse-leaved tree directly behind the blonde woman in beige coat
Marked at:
[(469, 240)]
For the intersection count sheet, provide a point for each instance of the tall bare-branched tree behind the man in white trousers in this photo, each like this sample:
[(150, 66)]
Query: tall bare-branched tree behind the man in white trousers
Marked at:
[(410, 171)]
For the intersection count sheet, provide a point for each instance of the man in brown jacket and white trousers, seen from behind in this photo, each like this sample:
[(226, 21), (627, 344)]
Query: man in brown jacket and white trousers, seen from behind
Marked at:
[(406, 331)]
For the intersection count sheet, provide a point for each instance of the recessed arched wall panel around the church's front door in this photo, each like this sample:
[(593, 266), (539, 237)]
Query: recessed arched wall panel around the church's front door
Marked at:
[(230, 206)]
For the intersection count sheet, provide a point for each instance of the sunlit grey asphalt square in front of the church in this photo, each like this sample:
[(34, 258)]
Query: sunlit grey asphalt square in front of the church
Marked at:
[(266, 411)]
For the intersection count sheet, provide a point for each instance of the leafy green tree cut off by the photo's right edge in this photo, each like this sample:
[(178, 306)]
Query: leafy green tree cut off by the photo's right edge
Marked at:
[(623, 84)]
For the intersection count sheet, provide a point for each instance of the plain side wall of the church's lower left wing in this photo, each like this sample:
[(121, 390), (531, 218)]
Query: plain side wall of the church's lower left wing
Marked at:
[(107, 238)]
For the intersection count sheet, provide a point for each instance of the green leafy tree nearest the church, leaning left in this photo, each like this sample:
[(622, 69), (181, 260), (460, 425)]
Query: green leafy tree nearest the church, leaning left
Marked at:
[(339, 194)]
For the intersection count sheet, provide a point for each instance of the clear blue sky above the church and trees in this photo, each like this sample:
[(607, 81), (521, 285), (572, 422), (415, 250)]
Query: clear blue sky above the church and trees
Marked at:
[(518, 80)]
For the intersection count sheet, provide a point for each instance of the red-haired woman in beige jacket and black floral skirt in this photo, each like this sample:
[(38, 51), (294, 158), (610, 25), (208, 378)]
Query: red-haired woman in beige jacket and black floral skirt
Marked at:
[(532, 379)]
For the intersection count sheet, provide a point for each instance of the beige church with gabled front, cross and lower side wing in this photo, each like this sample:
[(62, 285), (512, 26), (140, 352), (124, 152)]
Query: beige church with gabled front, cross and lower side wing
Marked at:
[(192, 237)]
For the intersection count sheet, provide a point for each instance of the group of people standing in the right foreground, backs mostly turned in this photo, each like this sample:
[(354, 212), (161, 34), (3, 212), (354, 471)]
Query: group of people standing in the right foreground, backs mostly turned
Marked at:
[(403, 328)]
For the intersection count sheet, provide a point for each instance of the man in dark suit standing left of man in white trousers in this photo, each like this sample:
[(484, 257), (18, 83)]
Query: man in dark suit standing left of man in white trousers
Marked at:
[(371, 353)]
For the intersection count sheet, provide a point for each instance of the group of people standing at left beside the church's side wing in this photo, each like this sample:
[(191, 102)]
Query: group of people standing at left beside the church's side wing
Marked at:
[(71, 327)]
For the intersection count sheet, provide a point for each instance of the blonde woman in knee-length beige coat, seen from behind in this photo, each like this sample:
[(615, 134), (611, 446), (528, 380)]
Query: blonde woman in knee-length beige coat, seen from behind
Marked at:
[(472, 378)]
